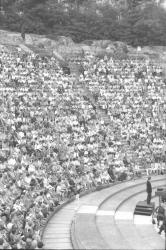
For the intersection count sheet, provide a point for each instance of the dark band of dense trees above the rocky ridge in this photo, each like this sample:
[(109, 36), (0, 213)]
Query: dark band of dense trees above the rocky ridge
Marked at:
[(136, 24)]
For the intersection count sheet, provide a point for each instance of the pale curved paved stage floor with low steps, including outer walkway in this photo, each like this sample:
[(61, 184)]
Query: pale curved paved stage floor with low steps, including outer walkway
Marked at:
[(104, 220)]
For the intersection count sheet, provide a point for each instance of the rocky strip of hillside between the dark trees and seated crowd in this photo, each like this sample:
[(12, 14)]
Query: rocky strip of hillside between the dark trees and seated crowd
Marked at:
[(64, 47)]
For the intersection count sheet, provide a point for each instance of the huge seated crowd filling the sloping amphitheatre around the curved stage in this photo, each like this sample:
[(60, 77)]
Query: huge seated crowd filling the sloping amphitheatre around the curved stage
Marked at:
[(54, 142)]
